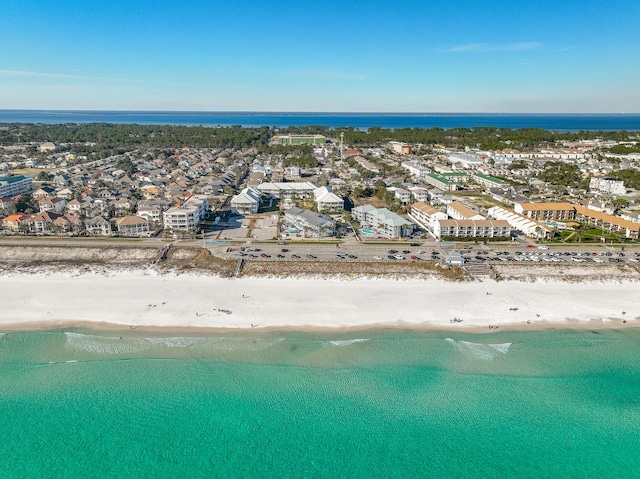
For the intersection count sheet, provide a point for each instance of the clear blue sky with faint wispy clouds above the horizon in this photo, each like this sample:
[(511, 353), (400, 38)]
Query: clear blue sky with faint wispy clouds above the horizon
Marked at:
[(543, 56)]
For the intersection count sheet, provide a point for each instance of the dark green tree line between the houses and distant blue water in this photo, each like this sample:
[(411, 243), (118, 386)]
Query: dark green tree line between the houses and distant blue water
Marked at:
[(109, 135)]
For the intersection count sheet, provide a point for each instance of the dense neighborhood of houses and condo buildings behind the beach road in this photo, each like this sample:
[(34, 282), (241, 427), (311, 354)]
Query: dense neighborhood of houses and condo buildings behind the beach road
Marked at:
[(391, 191)]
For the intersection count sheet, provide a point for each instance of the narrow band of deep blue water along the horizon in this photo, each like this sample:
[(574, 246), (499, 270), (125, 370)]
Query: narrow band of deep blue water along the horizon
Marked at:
[(363, 121)]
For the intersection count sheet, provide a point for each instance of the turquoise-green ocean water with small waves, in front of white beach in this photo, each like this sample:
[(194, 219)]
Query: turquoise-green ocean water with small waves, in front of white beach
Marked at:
[(367, 404)]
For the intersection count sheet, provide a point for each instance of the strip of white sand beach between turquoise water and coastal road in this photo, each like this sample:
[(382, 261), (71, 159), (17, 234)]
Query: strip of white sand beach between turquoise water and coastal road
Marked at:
[(148, 300)]
